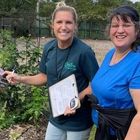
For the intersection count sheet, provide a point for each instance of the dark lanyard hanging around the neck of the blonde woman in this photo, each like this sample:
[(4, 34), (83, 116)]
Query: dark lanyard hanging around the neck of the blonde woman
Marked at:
[(59, 74)]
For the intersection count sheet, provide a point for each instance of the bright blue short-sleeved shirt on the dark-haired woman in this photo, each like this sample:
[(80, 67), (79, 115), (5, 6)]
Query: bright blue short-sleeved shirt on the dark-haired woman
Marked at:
[(112, 83)]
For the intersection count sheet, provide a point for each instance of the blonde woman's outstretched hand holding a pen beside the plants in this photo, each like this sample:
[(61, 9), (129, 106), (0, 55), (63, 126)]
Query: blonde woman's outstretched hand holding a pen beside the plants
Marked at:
[(12, 77)]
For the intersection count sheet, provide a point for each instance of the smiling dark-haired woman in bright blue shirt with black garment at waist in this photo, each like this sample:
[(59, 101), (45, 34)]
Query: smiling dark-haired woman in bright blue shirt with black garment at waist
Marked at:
[(116, 85)]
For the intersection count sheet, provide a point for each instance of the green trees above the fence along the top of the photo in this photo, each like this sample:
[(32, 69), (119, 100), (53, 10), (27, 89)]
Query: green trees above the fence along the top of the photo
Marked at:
[(87, 9)]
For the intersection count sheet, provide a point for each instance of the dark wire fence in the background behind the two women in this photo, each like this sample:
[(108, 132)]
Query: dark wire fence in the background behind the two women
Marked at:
[(40, 27)]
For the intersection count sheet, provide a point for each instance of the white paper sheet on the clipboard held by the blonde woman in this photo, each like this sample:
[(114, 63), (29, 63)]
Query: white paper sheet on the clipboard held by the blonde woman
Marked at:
[(61, 94)]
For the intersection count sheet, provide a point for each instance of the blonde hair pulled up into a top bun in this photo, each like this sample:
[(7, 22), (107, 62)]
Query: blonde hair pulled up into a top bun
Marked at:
[(61, 6)]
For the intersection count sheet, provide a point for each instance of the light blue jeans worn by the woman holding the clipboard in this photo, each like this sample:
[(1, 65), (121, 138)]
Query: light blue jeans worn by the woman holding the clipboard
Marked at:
[(54, 133)]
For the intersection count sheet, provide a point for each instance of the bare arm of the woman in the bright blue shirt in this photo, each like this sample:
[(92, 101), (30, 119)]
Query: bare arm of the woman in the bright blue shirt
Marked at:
[(134, 130)]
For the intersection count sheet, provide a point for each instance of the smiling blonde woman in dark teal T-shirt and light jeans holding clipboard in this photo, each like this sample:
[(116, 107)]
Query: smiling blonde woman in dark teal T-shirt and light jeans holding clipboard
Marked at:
[(63, 56)]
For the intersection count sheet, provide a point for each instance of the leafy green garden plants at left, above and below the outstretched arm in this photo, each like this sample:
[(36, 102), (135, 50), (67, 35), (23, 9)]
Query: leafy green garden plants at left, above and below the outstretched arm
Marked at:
[(21, 103)]
